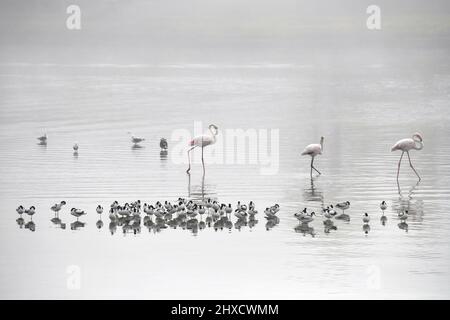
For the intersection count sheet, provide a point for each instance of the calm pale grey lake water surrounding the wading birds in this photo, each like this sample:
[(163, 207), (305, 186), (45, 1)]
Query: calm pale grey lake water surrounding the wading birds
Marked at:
[(361, 108)]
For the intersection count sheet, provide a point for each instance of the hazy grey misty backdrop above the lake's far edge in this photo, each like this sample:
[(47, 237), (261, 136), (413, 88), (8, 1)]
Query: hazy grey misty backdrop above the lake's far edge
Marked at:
[(218, 31)]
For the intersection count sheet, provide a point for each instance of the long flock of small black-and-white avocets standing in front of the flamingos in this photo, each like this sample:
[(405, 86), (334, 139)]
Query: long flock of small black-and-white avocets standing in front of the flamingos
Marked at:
[(195, 216)]
